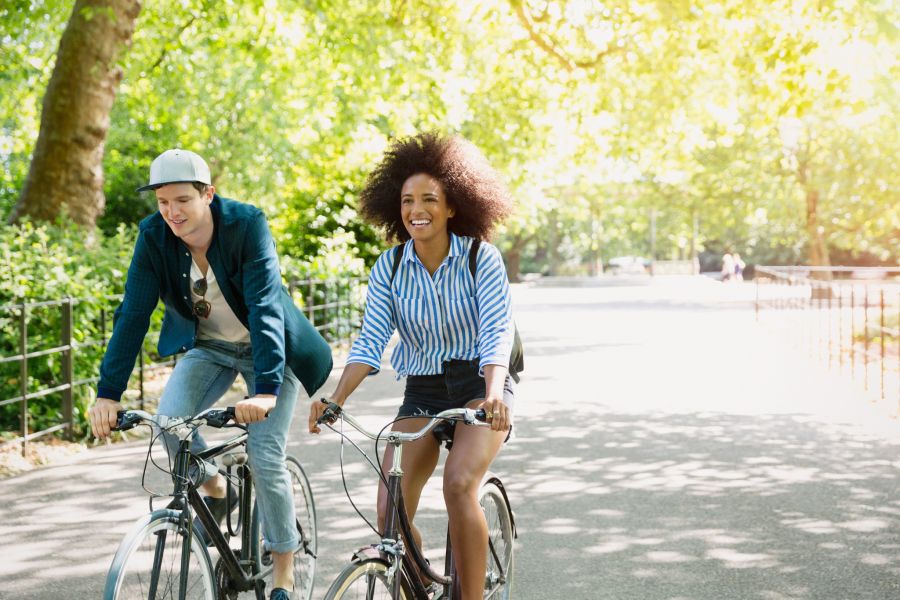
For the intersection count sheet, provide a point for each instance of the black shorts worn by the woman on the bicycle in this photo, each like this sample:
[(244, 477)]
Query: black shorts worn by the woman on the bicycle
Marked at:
[(458, 385)]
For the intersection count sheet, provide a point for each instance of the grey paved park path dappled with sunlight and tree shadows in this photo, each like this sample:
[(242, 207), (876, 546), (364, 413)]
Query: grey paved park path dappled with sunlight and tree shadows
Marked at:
[(668, 448)]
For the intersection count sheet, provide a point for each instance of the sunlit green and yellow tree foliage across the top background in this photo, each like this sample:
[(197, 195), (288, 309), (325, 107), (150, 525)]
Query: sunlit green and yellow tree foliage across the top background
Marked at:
[(598, 113)]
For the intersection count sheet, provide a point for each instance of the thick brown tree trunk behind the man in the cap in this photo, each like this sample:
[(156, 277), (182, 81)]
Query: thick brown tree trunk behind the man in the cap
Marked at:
[(66, 172)]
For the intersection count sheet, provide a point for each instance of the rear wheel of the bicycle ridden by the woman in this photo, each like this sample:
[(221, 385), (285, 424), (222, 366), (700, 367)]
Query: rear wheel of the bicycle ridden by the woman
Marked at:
[(501, 539)]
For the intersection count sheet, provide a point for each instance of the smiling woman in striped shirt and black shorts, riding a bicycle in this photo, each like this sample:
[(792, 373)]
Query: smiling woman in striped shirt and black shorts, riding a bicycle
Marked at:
[(438, 195)]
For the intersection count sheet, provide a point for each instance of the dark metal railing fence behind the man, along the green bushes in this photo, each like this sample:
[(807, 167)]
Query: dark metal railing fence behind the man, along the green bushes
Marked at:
[(44, 353)]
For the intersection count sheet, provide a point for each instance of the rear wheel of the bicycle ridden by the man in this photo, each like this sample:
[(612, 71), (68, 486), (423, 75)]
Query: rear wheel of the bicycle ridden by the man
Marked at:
[(305, 557)]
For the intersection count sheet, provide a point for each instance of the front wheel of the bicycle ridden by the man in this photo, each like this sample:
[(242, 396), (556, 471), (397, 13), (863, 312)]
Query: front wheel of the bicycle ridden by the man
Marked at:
[(148, 563)]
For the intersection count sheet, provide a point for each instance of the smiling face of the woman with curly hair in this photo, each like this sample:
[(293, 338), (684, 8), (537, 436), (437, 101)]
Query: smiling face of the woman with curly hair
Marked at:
[(424, 208)]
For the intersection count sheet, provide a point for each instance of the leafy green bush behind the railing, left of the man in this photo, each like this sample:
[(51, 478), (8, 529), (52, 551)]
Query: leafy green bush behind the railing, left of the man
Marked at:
[(44, 264)]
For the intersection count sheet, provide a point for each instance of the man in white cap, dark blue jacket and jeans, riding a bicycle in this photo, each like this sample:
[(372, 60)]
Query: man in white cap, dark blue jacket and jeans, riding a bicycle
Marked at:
[(212, 262)]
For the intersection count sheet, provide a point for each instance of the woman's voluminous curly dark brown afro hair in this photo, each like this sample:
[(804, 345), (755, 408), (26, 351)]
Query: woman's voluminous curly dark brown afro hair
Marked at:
[(472, 187)]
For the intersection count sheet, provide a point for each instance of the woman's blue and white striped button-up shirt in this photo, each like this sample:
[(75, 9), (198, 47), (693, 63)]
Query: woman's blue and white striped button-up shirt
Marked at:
[(438, 317)]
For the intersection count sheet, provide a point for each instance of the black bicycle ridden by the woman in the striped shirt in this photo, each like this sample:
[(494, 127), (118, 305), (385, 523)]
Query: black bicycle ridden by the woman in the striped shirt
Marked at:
[(391, 567)]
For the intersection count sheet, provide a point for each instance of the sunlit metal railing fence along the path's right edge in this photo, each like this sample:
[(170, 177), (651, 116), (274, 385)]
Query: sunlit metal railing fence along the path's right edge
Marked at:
[(847, 317)]
